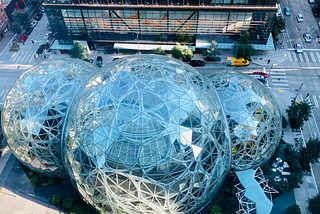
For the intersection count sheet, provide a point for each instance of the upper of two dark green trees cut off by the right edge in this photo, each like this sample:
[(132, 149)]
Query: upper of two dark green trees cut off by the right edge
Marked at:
[(309, 154)]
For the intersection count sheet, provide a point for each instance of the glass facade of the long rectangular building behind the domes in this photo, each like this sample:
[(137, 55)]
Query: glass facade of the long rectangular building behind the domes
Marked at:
[(160, 24)]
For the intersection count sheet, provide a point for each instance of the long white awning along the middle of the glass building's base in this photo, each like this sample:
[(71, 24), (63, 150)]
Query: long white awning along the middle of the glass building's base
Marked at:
[(125, 46)]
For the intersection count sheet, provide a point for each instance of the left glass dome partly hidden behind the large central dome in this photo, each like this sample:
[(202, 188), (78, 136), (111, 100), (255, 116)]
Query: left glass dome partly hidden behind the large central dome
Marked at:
[(34, 110)]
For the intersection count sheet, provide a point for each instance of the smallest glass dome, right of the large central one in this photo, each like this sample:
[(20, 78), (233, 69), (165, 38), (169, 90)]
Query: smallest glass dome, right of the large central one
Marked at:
[(253, 115)]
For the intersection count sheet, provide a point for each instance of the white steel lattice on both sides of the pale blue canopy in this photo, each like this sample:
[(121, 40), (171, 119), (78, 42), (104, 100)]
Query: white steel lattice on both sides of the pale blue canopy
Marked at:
[(246, 206)]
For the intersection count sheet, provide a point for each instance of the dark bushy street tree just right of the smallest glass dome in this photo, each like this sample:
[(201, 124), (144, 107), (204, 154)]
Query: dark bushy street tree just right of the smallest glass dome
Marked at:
[(298, 113)]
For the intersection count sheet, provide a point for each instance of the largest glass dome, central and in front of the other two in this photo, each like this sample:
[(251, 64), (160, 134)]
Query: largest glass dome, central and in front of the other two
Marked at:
[(147, 134)]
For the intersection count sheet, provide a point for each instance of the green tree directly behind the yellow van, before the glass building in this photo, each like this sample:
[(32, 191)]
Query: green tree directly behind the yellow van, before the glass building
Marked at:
[(243, 47)]
